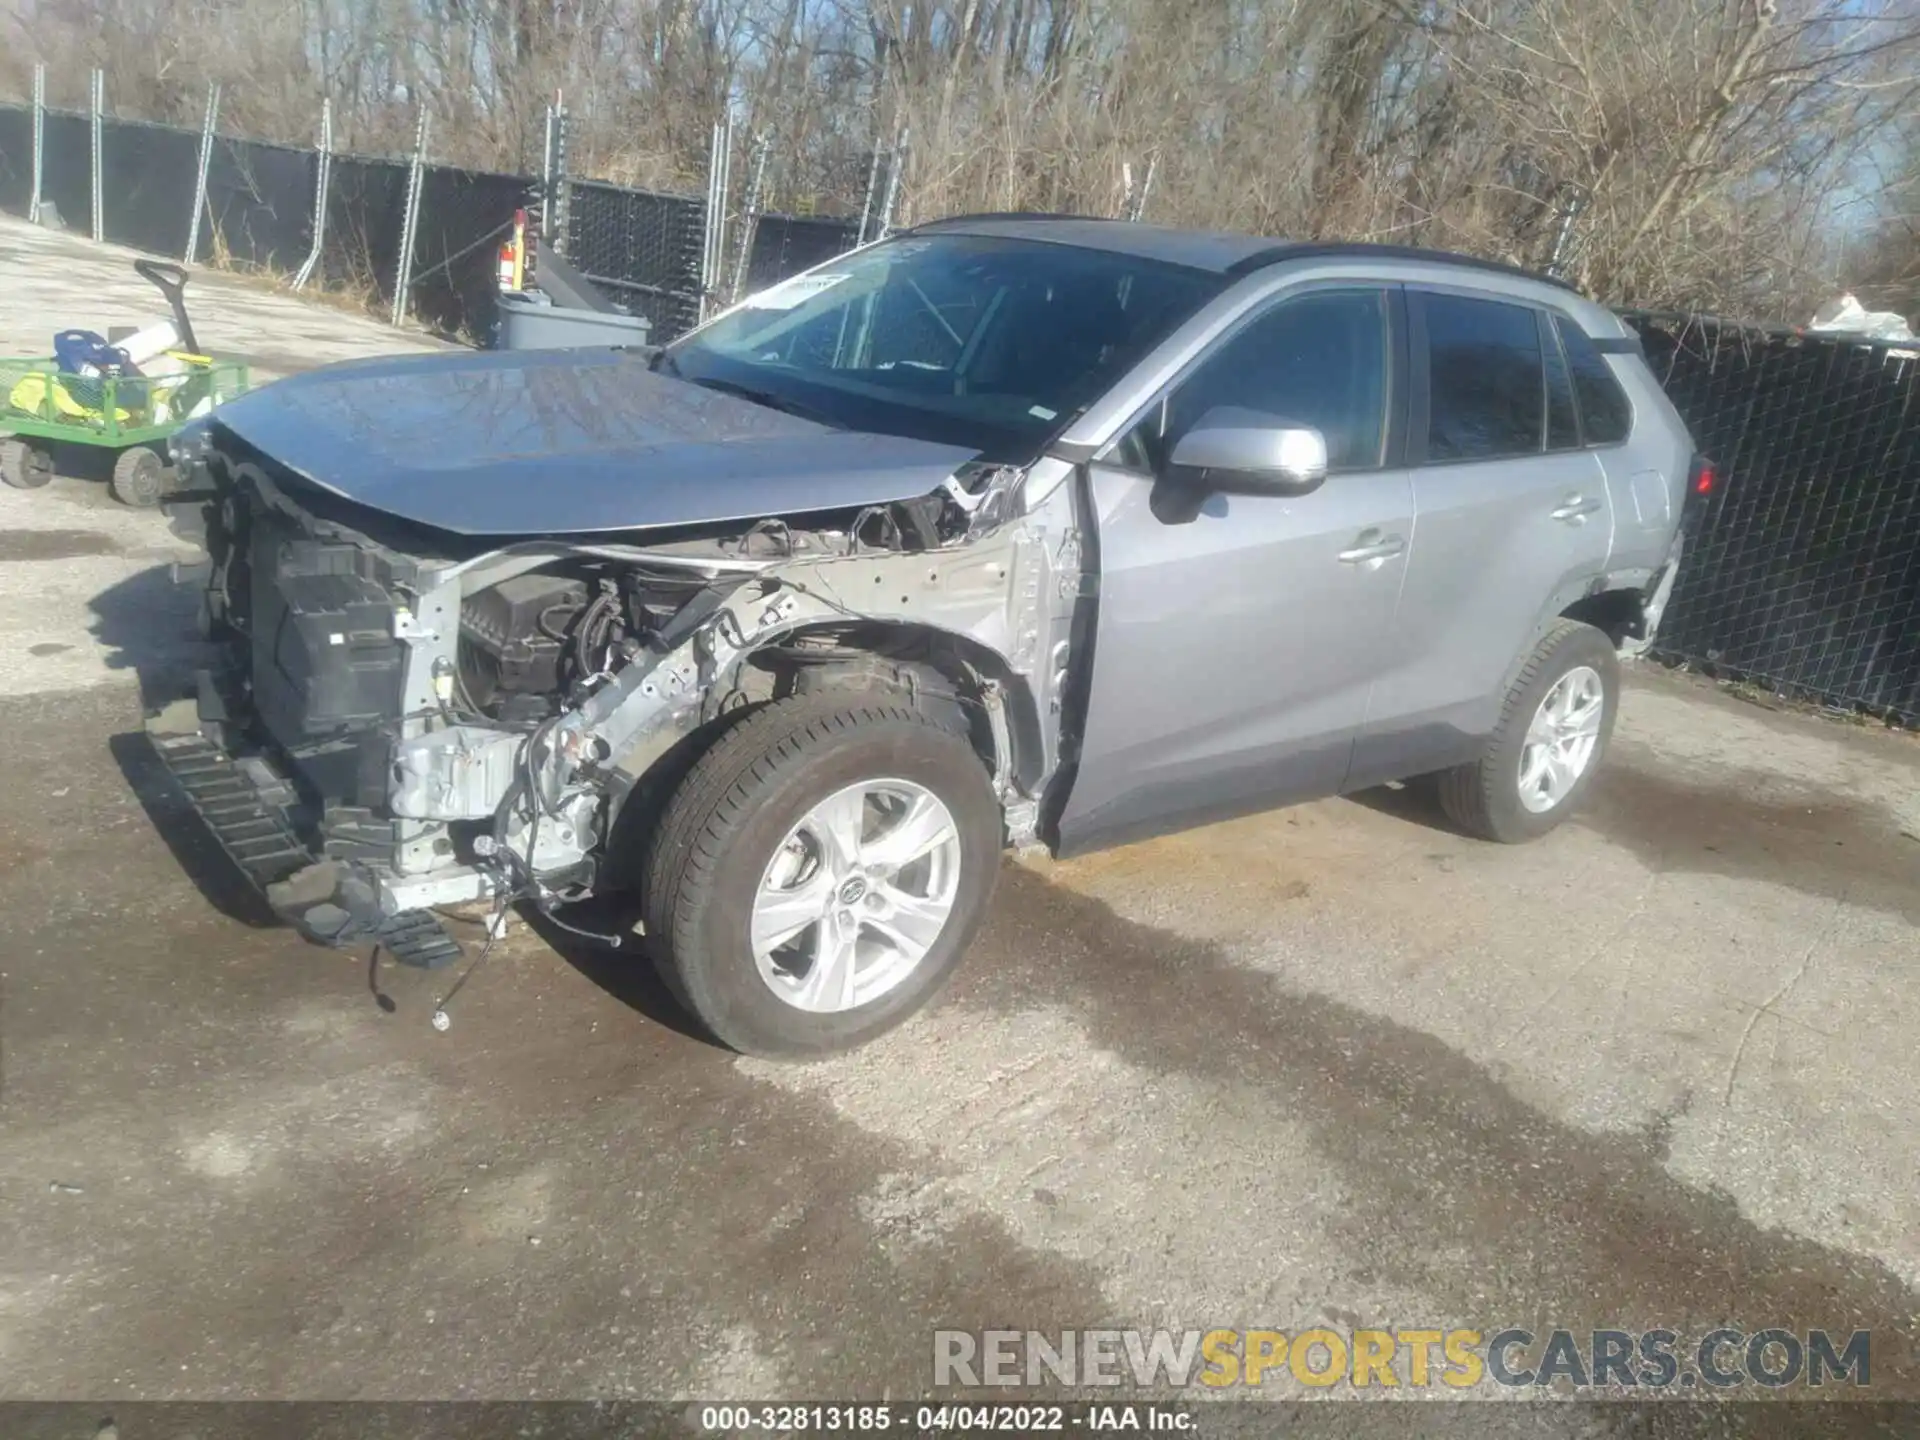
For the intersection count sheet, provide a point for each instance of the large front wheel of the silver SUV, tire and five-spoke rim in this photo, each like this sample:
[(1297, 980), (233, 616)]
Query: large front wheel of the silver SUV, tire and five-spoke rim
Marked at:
[(821, 871)]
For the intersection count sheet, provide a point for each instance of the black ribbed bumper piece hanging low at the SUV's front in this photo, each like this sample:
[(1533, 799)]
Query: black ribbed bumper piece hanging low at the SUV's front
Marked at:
[(327, 901)]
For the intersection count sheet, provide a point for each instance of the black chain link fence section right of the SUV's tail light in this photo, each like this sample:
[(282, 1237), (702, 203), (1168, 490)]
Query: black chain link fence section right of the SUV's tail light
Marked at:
[(1806, 573)]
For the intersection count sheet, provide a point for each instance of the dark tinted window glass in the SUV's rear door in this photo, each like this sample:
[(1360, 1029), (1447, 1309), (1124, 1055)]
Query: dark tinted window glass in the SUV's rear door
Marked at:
[(1485, 387)]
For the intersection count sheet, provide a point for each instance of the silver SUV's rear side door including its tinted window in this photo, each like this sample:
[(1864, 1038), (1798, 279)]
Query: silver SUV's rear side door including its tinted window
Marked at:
[(1512, 516)]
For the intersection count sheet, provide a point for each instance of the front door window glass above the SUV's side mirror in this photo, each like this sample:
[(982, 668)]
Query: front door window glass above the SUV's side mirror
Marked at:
[(1318, 360)]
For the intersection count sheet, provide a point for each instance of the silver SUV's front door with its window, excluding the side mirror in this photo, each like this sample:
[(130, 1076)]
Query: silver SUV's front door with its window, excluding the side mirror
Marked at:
[(1237, 638)]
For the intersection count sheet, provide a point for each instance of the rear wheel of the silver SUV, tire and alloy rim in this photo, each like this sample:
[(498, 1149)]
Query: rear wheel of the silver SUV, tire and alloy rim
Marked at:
[(1550, 740)]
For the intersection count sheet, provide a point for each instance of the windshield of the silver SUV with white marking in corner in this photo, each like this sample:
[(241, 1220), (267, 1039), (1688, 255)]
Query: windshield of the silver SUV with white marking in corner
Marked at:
[(974, 341)]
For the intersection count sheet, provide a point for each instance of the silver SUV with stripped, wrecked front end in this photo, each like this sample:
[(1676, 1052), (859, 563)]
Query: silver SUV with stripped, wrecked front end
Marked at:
[(1007, 531)]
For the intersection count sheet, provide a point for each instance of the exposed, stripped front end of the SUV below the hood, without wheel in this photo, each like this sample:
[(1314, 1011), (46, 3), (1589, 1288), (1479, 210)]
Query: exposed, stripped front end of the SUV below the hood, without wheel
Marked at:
[(408, 717)]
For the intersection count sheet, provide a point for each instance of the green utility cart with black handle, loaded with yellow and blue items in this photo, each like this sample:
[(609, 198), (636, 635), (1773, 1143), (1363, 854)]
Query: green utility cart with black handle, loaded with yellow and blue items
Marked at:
[(128, 412)]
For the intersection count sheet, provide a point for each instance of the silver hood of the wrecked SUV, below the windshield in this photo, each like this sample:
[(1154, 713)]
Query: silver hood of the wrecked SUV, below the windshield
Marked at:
[(565, 443)]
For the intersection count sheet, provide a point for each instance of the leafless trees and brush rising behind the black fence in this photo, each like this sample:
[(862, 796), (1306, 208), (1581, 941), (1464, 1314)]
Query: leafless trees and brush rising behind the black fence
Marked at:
[(1675, 153)]
